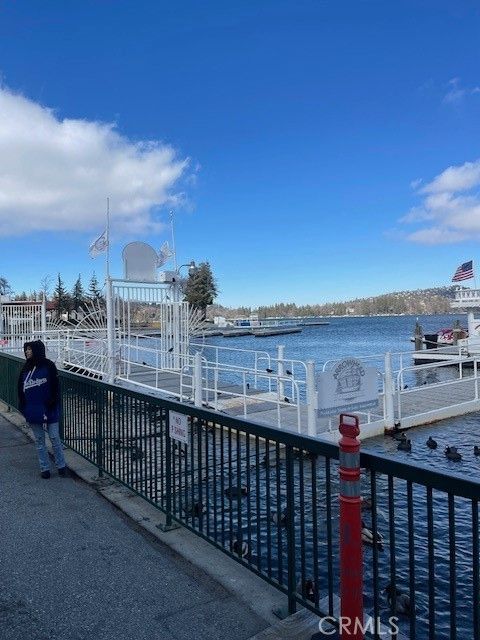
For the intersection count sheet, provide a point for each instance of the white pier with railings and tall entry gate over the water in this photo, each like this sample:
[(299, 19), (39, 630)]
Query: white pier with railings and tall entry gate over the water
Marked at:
[(112, 343)]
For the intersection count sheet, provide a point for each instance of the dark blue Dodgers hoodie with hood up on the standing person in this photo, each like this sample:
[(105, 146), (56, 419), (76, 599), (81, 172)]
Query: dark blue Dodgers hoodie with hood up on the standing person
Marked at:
[(38, 388)]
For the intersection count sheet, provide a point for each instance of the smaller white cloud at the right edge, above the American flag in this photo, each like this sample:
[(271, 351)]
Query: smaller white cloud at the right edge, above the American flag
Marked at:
[(450, 204)]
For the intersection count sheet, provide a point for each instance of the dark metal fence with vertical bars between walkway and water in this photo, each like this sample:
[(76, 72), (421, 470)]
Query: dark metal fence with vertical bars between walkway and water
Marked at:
[(269, 499)]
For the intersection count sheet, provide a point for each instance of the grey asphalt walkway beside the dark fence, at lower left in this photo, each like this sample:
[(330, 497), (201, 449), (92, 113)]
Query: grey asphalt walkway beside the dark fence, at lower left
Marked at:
[(73, 567)]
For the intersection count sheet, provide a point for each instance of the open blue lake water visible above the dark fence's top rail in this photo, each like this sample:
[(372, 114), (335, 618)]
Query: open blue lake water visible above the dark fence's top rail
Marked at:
[(362, 337)]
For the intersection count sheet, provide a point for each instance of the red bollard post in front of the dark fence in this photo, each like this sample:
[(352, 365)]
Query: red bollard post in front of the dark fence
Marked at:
[(351, 557)]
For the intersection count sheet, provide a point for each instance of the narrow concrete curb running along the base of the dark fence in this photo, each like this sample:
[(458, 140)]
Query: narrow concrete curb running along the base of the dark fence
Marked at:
[(253, 591)]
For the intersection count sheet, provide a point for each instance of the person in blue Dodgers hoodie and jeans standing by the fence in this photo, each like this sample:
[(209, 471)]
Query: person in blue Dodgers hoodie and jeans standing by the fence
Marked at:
[(39, 401)]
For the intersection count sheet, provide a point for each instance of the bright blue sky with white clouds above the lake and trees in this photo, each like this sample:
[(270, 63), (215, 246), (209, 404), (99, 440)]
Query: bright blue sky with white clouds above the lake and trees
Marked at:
[(311, 150)]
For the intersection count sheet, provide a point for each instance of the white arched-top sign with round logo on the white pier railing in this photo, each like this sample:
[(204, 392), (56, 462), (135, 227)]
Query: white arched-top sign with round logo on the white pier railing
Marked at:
[(349, 386)]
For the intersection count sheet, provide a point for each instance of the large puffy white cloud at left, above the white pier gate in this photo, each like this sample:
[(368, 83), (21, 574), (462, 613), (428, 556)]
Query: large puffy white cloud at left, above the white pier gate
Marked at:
[(56, 174)]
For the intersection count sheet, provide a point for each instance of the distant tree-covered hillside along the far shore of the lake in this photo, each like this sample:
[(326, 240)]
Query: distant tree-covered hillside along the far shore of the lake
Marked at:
[(421, 301)]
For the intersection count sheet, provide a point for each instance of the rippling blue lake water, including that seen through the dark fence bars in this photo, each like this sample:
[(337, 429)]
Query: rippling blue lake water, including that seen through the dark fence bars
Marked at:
[(361, 337)]
